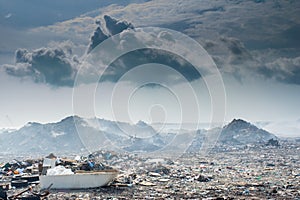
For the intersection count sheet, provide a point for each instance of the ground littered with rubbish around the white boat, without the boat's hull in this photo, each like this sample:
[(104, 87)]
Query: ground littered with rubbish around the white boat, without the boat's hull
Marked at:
[(260, 172)]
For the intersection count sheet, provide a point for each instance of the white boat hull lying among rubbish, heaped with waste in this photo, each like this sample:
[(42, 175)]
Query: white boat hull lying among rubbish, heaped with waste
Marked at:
[(79, 180)]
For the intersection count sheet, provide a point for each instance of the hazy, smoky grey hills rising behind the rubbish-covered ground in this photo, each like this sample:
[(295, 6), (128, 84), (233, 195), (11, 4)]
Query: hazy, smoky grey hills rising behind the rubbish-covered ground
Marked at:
[(72, 134)]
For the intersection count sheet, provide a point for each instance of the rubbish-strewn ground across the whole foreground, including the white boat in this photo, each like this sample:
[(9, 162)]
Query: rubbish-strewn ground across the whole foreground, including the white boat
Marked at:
[(252, 172)]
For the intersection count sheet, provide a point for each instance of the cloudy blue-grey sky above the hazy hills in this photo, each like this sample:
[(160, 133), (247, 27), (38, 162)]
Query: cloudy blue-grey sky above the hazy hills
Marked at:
[(54, 62)]
